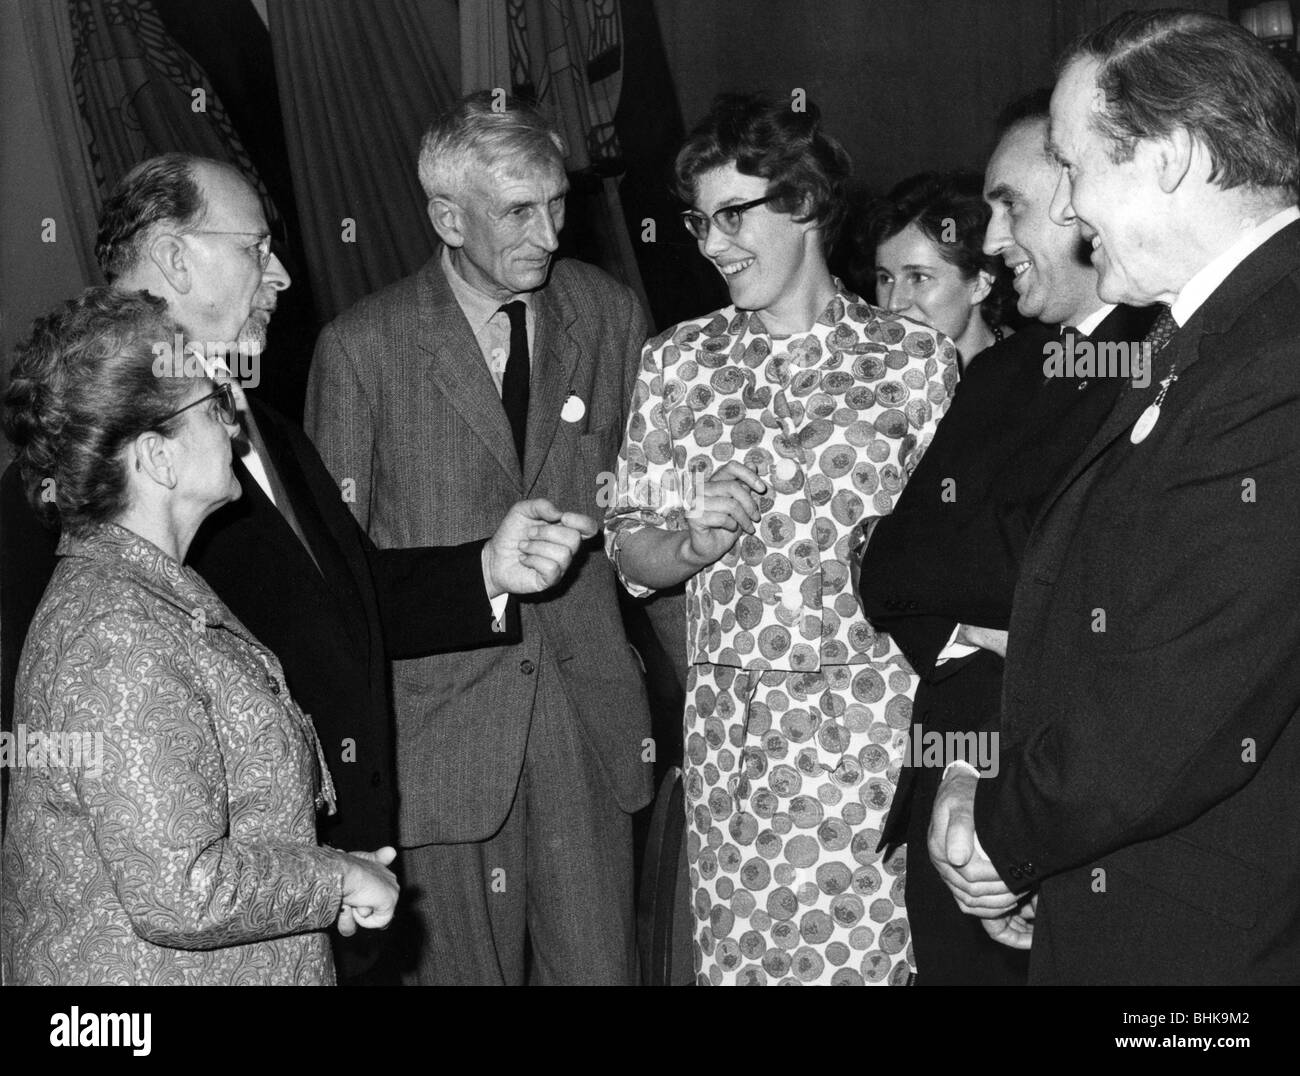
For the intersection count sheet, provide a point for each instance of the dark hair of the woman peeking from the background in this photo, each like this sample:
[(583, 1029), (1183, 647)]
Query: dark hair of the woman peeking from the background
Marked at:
[(943, 203)]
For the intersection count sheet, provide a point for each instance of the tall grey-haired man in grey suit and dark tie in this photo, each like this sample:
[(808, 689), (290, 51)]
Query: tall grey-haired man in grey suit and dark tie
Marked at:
[(499, 372)]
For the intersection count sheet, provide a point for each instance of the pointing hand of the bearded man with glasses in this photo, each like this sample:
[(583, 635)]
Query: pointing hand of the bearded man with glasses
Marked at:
[(534, 548)]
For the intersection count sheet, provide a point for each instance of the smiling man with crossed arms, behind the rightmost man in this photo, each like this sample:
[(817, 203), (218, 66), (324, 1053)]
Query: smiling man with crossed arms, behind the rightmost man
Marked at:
[(941, 570)]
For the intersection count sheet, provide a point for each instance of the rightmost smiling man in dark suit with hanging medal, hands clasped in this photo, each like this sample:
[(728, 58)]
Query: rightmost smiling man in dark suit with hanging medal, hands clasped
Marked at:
[(1150, 737)]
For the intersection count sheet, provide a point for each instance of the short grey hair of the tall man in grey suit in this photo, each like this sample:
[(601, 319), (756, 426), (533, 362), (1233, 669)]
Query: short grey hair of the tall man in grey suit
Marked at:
[(487, 131)]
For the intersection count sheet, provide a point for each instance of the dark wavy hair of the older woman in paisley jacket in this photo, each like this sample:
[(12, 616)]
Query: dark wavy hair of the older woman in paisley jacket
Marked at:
[(83, 388)]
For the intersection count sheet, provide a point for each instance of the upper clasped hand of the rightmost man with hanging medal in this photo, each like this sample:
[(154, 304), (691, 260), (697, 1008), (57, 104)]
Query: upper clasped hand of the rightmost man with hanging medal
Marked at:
[(973, 879)]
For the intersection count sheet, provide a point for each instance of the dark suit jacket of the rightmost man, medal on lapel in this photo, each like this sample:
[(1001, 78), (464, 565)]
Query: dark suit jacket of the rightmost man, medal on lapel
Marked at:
[(1150, 770)]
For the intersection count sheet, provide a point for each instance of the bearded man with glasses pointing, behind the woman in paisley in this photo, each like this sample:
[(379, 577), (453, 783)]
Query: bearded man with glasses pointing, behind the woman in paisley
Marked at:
[(287, 557)]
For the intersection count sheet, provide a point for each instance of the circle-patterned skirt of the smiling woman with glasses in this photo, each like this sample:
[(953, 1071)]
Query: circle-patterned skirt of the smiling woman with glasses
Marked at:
[(788, 778)]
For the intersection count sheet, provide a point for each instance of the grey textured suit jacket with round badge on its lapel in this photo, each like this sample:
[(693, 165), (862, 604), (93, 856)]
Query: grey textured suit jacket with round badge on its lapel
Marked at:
[(401, 400)]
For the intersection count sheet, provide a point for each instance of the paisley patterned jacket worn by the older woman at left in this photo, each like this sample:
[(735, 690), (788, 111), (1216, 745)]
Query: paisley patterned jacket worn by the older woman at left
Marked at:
[(180, 848)]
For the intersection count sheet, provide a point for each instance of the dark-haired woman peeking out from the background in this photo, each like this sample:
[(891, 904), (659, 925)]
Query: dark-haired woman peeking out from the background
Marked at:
[(926, 238)]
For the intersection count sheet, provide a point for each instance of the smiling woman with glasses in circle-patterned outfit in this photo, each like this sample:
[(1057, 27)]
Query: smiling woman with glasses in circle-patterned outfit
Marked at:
[(762, 437)]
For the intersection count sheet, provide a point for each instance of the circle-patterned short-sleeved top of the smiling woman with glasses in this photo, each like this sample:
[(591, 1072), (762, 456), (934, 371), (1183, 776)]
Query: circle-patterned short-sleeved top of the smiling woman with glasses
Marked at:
[(834, 420)]
